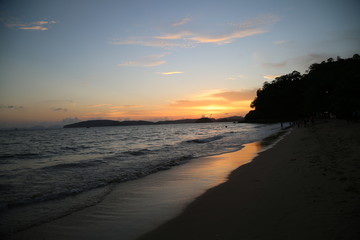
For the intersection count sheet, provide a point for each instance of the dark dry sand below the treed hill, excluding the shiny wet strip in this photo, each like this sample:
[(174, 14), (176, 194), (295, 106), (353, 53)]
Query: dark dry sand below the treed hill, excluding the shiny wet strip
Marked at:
[(306, 187)]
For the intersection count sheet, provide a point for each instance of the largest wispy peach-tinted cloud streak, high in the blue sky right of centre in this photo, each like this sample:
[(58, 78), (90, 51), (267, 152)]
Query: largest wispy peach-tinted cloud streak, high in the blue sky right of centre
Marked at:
[(187, 38)]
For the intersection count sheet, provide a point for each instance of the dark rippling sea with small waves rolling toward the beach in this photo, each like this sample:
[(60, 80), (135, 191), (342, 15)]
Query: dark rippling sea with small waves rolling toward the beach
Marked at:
[(47, 169)]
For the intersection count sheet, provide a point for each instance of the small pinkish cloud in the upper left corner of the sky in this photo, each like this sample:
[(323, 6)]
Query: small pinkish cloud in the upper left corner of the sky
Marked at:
[(11, 22)]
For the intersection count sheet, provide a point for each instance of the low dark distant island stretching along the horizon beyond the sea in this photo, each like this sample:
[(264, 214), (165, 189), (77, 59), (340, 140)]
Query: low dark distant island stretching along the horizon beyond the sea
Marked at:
[(113, 123)]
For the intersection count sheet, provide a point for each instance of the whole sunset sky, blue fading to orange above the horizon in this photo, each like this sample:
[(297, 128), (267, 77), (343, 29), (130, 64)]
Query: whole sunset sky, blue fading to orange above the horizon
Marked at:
[(63, 61)]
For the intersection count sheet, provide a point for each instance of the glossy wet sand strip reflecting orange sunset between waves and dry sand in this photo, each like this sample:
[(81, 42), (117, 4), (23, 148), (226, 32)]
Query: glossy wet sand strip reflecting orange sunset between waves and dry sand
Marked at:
[(136, 207)]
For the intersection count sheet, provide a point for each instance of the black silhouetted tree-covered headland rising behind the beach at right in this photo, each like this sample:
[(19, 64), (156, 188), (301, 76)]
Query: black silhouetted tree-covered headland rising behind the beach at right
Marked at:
[(327, 88)]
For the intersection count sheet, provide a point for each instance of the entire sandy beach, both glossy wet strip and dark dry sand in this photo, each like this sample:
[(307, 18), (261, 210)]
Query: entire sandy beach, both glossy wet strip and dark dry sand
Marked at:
[(305, 187)]
